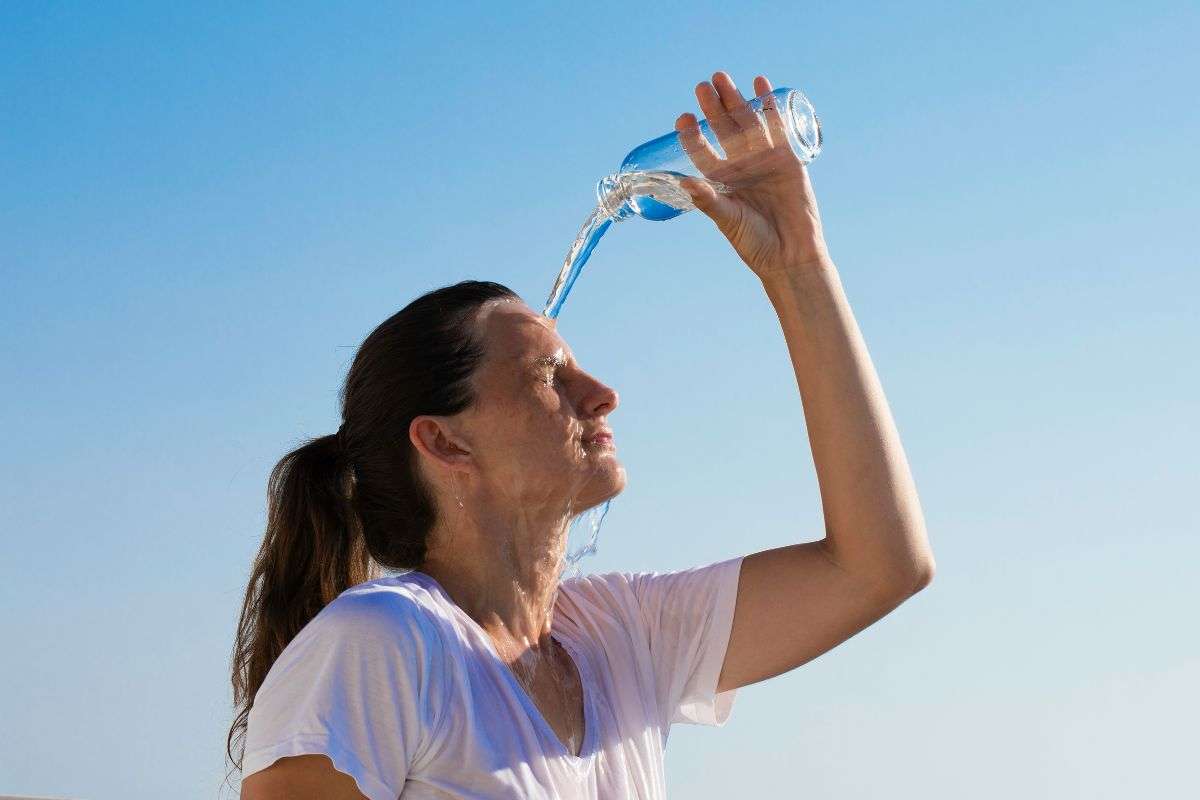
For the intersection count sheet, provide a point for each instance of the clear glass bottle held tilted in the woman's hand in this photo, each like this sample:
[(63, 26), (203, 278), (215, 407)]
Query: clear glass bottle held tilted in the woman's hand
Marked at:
[(647, 185)]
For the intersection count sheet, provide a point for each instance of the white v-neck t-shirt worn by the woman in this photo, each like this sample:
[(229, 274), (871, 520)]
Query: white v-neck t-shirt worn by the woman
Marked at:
[(405, 691)]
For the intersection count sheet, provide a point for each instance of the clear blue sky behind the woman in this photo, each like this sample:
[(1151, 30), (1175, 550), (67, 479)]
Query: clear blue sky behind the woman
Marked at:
[(203, 212)]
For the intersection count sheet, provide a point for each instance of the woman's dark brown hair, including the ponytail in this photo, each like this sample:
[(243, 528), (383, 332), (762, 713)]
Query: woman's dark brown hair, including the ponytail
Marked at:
[(343, 506)]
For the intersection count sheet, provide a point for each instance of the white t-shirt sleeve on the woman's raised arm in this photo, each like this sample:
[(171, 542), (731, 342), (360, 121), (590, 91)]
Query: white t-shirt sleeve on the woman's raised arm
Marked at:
[(688, 617)]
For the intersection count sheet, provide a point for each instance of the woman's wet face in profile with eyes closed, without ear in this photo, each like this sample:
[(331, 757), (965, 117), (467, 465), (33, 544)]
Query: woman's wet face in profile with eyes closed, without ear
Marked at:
[(536, 413)]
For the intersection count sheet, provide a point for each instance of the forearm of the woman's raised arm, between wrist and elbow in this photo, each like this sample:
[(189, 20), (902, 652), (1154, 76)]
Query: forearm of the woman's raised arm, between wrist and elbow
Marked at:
[(874, 522)]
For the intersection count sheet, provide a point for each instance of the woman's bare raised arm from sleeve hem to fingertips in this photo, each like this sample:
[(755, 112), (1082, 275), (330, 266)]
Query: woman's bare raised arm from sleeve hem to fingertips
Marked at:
[(799, 601)]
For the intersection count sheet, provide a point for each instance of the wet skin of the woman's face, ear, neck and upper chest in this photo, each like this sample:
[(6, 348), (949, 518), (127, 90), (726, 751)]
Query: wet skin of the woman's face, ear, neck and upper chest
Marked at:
[(521, 466)]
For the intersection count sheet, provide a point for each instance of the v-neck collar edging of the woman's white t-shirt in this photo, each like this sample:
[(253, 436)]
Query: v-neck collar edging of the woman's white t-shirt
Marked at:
[(583, 666)]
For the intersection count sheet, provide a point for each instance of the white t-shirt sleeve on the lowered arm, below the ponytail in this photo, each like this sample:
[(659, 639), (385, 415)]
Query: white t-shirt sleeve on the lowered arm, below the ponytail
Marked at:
[(358, 684)]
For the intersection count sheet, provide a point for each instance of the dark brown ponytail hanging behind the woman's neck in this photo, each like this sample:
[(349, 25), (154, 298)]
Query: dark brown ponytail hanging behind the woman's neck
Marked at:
[(313, 551)]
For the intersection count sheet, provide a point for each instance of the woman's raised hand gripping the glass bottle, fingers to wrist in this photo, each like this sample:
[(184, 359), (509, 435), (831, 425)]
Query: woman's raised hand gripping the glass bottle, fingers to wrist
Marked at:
[(771, 216)]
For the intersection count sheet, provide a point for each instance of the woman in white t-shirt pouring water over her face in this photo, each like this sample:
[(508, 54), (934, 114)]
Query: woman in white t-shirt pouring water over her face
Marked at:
[(471, 438)]
